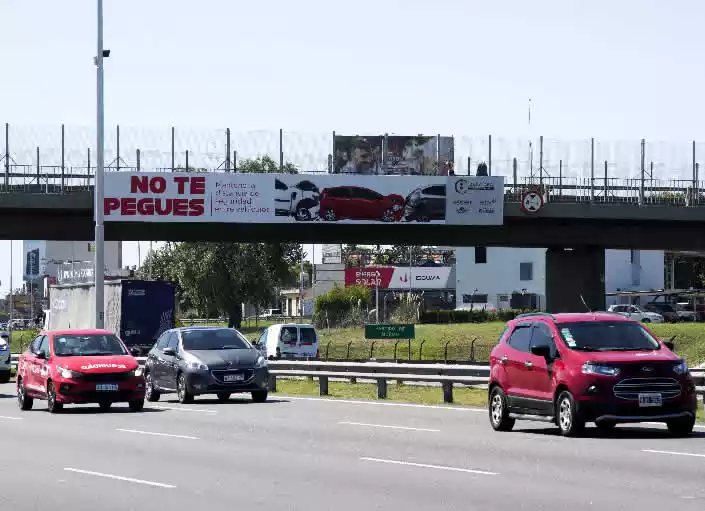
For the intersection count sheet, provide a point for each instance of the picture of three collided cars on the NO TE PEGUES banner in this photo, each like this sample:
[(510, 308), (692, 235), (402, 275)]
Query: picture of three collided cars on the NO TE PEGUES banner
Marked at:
[(360, 199)]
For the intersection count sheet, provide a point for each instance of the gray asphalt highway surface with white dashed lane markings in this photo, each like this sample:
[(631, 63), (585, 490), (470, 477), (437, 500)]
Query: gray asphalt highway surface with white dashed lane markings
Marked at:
[(310, 454)]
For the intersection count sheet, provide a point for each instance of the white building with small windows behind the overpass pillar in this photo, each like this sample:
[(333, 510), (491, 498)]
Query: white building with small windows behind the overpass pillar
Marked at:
[(492, 274)]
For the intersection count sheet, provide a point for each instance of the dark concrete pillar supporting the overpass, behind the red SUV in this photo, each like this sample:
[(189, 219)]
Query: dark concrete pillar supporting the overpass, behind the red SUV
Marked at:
[(570, 273)]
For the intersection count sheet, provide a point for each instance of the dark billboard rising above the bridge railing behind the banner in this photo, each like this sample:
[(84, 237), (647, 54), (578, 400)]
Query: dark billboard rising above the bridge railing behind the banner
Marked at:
[(416, 155)]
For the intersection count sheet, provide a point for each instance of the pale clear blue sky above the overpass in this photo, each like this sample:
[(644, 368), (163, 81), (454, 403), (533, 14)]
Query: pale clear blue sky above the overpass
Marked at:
[(613, 70)]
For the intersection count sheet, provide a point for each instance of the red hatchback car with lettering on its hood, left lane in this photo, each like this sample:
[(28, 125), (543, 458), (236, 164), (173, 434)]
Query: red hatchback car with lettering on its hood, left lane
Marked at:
[(77, 367)]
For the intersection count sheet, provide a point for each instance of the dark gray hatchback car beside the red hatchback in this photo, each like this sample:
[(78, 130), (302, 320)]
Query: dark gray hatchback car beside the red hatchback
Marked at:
[(193, 361)]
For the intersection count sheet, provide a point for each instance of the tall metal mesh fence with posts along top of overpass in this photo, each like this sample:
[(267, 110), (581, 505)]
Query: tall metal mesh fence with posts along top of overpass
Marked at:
[(58, 159)]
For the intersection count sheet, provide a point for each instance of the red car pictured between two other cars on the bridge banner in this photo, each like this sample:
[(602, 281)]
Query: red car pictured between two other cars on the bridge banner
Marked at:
[(358, 203)]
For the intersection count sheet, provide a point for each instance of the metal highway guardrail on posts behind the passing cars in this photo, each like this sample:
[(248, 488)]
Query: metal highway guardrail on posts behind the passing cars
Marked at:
[(381, 372)]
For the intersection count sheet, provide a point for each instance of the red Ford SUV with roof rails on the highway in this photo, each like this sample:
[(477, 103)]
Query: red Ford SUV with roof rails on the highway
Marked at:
[(571, 369)]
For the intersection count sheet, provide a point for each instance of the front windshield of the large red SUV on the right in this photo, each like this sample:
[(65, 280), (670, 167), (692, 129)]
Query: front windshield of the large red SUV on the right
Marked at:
[(607, 336)]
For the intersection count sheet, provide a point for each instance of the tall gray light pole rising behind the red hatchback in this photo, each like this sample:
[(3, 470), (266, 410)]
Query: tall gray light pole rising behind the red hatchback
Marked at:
[(99, 188)]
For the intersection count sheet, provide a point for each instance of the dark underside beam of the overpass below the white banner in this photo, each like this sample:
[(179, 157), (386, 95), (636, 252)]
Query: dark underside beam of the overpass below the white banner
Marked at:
[(53, 224)]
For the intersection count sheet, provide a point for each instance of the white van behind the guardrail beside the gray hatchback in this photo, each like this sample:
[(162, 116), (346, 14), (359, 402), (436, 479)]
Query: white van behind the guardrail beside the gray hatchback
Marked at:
[(288, 340)]
